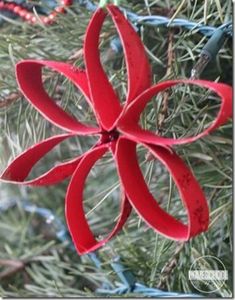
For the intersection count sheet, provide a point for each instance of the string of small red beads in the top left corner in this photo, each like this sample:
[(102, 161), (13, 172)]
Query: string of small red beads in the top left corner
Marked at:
[(29, 17)]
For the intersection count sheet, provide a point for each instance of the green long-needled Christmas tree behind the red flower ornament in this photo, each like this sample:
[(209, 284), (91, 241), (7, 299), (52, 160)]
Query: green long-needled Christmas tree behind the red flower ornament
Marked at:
[(37, 257)]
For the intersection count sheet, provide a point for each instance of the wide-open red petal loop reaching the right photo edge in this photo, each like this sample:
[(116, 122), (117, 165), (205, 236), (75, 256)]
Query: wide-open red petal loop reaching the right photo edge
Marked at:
[(128, 123)]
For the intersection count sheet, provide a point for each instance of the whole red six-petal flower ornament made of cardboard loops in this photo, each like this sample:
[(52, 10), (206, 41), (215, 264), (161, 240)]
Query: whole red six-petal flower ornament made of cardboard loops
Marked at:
[(119, 132)]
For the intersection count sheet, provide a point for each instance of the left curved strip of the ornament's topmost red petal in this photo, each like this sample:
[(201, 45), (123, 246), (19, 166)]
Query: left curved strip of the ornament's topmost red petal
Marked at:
[(105, 100)]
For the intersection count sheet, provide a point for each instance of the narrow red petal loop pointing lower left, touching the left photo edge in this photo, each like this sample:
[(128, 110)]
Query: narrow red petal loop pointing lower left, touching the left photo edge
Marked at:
[(20, 168)]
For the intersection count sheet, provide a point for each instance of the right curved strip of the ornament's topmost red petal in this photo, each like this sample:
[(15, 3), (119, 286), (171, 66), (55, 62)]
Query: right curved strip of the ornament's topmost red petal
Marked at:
[(138, 67)]
